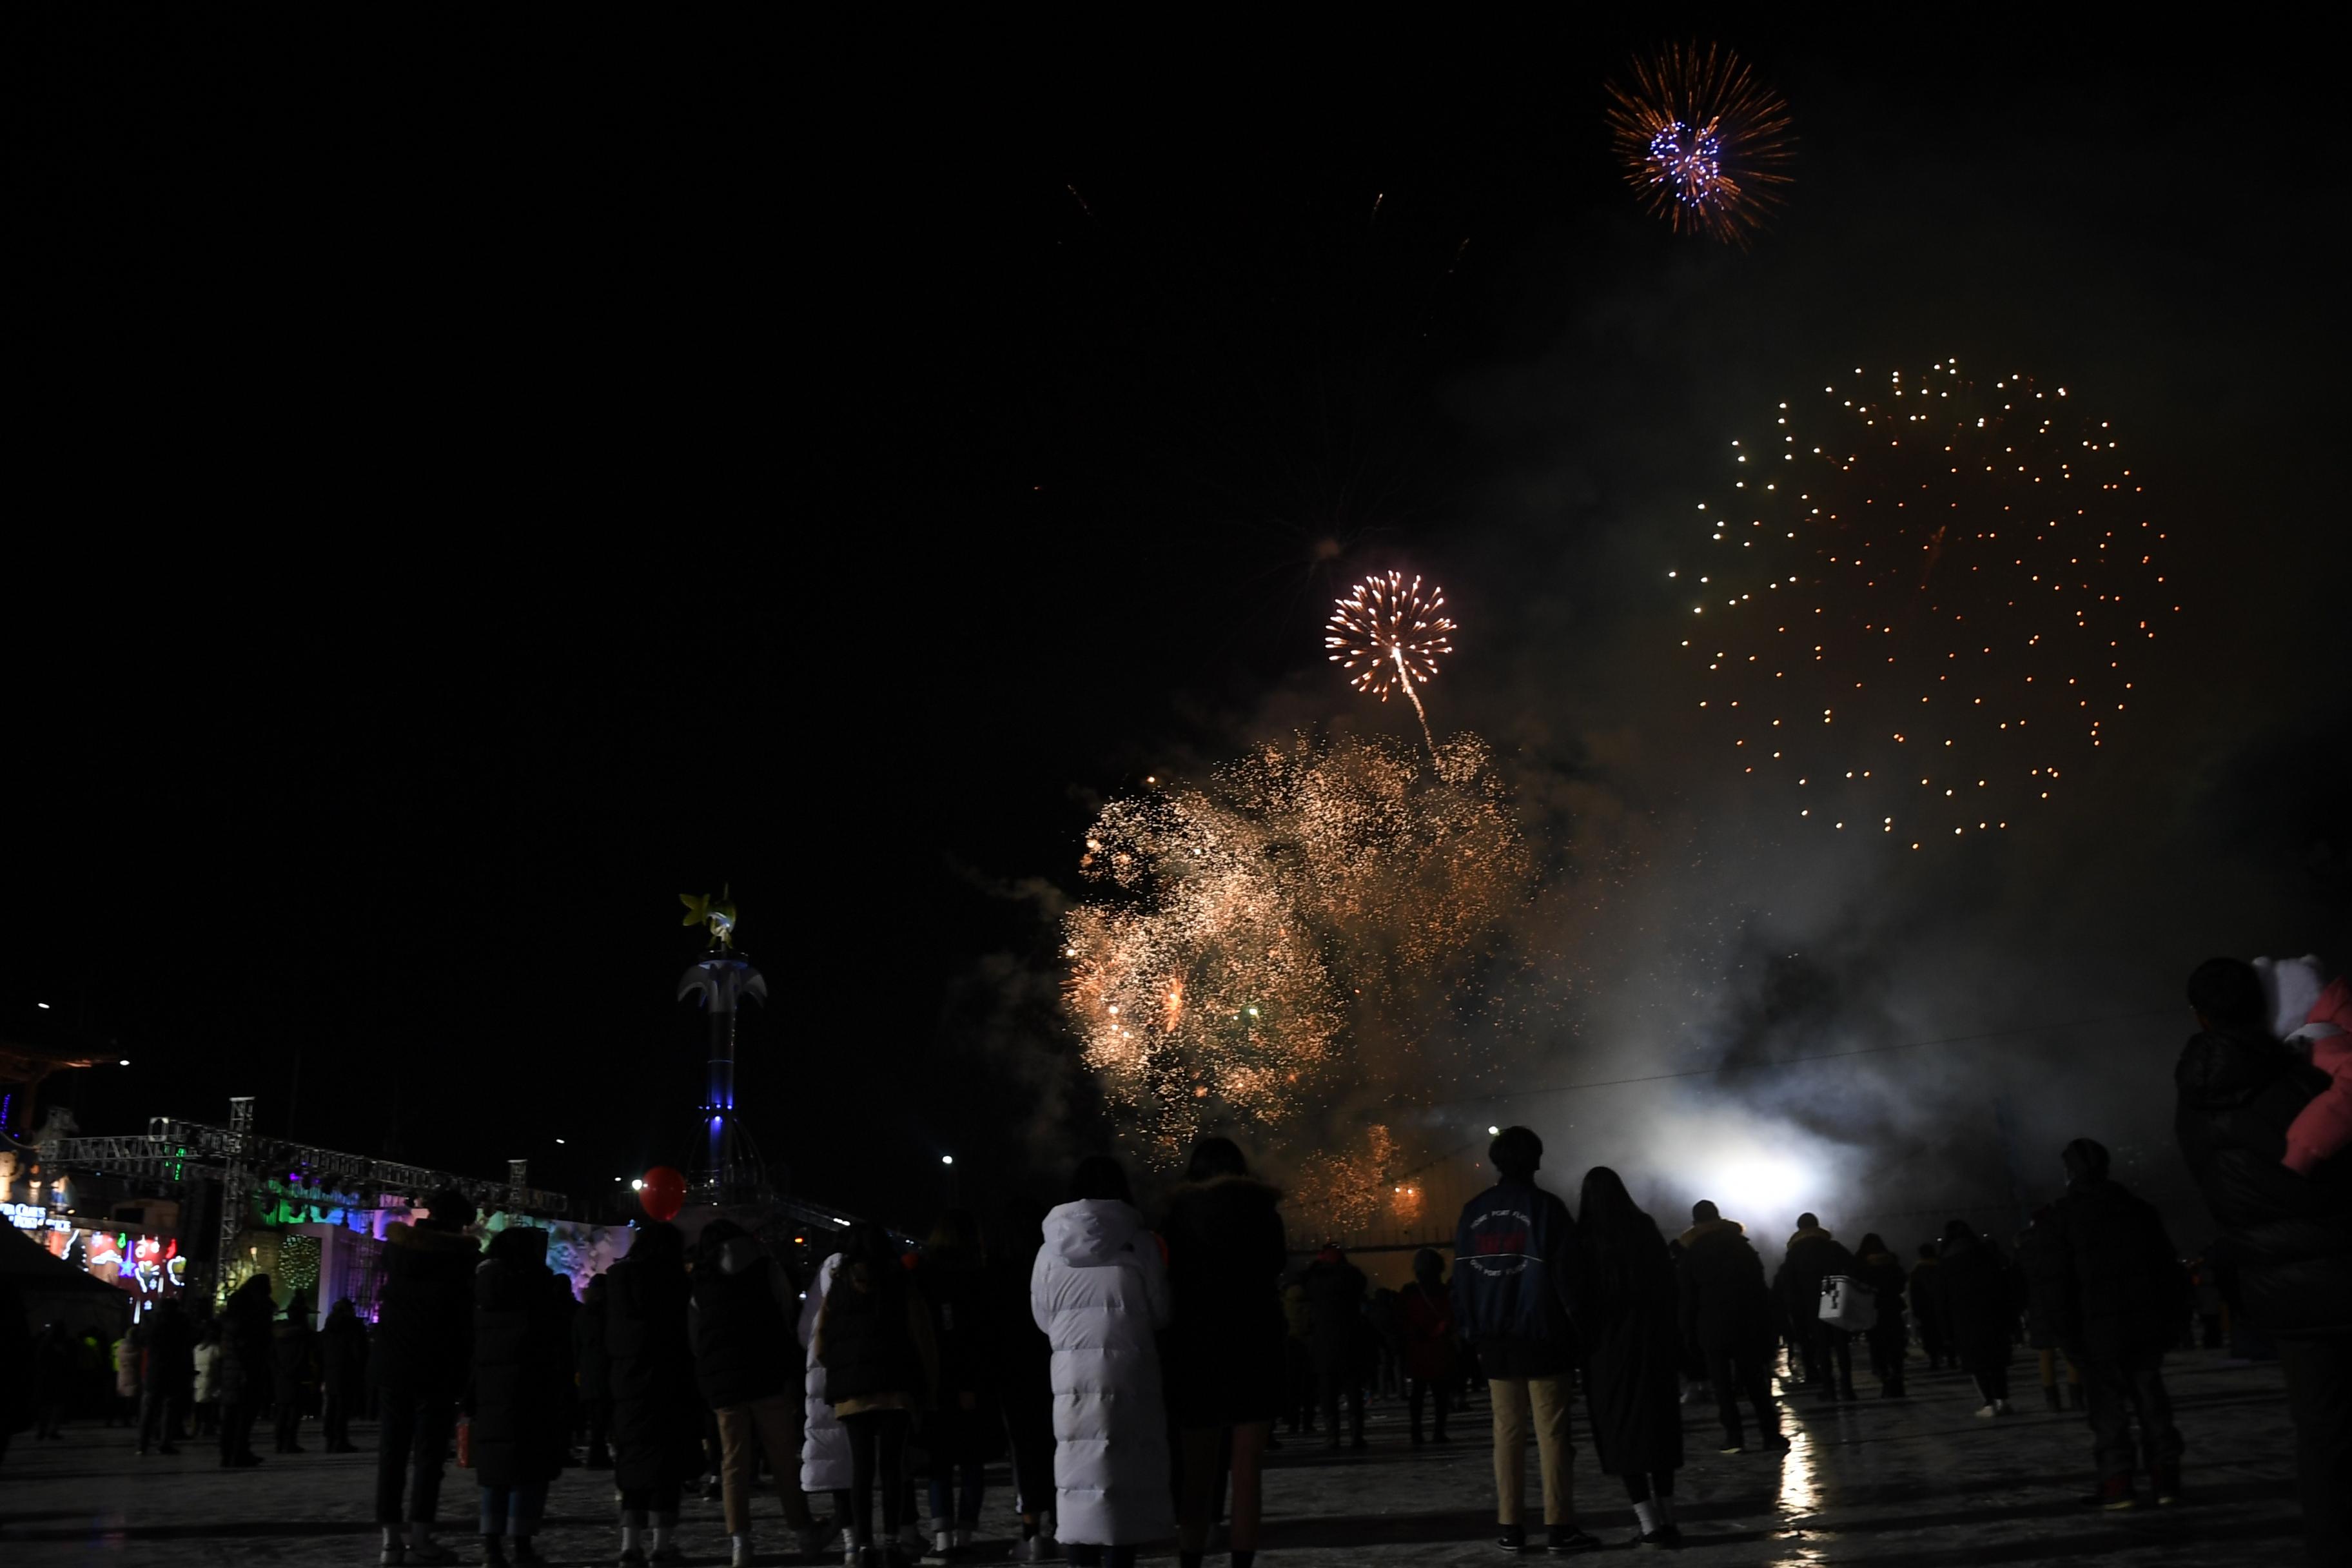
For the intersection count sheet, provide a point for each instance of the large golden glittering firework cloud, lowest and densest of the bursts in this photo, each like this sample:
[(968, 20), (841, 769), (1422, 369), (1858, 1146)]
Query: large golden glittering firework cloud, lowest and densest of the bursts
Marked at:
[(1255, 934)]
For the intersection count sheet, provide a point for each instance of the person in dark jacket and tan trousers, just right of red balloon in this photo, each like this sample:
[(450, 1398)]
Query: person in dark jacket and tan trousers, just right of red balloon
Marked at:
[(749, 1374)]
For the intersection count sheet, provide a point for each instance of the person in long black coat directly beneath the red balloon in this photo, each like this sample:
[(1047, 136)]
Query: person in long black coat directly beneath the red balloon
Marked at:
[(657, 1416)]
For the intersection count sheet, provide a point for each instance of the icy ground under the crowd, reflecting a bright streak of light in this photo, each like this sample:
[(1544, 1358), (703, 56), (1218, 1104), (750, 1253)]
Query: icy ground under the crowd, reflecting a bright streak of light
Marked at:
[(1913, 1485)]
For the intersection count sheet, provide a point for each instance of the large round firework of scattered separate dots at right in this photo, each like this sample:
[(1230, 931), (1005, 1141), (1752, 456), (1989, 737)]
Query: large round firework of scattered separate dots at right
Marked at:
[(1918, 605)]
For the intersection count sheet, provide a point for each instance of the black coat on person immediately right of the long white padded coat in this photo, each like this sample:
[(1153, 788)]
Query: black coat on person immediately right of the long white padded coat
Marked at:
[(1227, 1339)]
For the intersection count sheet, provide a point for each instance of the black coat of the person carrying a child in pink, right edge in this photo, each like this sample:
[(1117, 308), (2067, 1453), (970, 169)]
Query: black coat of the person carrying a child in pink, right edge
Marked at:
[(2285, 1238)]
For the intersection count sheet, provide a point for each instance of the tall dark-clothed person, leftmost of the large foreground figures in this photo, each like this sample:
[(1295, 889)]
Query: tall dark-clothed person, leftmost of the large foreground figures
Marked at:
[(422, 1358)]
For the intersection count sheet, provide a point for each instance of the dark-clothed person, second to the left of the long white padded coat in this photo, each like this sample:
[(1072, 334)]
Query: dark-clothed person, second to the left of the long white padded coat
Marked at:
[(965, 1433)]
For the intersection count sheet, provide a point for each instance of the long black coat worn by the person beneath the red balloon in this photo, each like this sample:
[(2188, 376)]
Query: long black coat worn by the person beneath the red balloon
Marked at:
[(657, 1414)]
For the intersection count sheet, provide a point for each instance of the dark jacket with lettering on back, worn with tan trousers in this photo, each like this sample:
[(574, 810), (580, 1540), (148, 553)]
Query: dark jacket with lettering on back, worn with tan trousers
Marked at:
[(1514, 1268)]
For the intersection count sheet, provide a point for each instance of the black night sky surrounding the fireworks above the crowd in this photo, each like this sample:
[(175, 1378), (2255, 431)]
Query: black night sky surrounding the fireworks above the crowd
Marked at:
[(474, 488)]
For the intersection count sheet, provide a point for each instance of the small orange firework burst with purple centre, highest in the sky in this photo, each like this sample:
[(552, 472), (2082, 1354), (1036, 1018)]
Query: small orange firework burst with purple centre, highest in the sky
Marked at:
[(1702, 140)]
